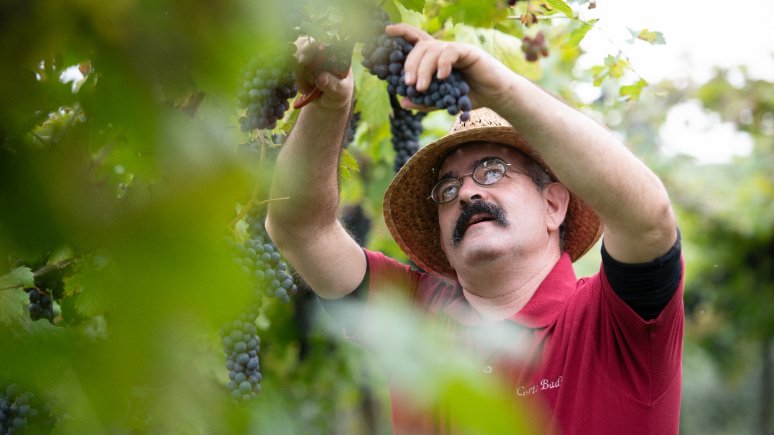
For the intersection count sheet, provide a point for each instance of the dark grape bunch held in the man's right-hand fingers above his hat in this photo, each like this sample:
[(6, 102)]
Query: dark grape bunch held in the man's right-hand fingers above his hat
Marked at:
[(384, 57)]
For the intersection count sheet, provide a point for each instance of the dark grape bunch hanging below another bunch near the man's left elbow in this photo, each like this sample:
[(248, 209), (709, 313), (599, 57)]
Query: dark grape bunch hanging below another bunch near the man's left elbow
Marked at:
[(241, 345)]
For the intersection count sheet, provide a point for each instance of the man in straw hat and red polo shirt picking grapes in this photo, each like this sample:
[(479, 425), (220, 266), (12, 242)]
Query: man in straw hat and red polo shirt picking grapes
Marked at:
[(482, 211)]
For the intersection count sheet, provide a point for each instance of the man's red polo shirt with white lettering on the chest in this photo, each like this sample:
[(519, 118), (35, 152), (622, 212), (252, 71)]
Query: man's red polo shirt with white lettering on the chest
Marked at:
[(591, 362)]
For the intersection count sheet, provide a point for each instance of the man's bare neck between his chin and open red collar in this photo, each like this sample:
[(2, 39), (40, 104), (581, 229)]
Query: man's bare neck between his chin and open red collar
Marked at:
[(497, 293)]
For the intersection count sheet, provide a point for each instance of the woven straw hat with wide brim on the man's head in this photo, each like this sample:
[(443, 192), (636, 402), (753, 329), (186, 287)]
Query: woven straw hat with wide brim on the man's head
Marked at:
[(412, 217)]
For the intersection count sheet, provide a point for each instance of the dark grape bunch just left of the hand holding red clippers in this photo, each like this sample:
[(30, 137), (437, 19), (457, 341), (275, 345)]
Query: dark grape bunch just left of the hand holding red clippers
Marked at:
[(268, 86)]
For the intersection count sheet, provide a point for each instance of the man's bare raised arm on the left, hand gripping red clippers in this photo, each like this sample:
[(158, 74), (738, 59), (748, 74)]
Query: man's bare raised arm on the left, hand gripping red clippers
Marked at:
[(305, 227)]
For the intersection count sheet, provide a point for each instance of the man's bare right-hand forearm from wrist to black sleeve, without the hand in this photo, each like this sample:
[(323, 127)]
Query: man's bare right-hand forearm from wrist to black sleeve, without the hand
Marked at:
[(597, 167)]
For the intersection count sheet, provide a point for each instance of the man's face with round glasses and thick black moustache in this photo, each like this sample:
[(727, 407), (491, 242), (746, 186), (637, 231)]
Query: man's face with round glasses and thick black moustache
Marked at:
[(485, 223)]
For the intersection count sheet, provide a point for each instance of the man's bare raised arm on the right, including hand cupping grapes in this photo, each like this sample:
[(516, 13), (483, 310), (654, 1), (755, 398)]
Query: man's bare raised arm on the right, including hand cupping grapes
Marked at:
[(585, 156)]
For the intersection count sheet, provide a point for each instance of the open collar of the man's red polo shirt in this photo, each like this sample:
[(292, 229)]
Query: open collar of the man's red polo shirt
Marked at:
[(541, 310)]
